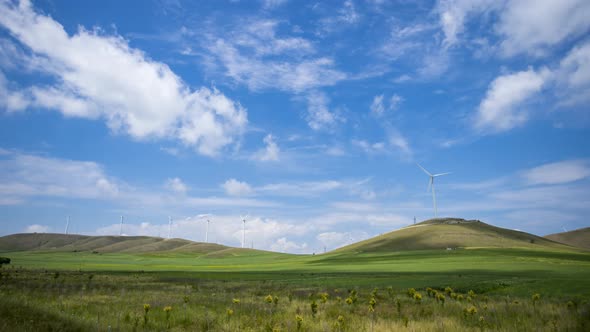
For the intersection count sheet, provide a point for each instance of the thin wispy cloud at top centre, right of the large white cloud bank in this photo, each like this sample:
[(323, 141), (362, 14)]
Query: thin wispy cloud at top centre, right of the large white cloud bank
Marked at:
[(250, 56)]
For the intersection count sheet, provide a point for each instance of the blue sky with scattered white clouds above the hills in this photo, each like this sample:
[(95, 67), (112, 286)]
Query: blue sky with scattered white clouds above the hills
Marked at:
[(308, 117)]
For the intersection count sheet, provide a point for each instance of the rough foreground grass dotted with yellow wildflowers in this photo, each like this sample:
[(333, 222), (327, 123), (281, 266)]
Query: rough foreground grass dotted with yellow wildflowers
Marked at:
[(50, 300)]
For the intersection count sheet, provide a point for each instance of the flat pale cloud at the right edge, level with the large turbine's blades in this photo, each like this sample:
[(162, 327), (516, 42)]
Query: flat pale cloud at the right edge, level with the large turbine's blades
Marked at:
[(558, 172)]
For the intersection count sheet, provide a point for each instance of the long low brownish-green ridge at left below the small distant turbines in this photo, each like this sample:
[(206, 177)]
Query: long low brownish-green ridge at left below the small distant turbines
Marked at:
[(103, 244)]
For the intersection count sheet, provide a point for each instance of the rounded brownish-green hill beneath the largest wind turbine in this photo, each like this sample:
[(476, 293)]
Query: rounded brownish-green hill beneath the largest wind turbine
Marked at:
[(450, 233)]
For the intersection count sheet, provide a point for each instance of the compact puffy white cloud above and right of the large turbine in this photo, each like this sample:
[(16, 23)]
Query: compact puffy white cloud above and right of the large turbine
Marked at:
[(502, 108)]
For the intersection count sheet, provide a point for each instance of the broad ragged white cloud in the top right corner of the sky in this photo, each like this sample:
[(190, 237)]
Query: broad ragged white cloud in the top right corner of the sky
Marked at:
[(523, 26)]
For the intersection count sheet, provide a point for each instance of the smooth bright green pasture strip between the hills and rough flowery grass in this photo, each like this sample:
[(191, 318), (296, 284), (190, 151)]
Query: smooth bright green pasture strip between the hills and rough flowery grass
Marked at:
[(519, 271)]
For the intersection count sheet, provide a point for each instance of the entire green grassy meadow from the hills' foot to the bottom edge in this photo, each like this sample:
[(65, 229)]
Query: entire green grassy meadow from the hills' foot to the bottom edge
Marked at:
[(423, 290)]
